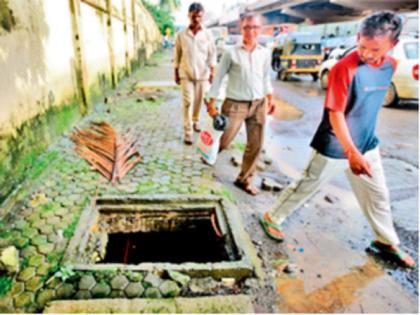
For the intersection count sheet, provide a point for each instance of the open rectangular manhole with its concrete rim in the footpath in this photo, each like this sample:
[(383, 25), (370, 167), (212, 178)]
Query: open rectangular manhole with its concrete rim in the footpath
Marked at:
[(200, 236)]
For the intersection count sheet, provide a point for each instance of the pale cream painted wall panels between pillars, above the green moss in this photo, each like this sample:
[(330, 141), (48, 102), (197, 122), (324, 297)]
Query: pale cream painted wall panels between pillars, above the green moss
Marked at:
[(37, 56)]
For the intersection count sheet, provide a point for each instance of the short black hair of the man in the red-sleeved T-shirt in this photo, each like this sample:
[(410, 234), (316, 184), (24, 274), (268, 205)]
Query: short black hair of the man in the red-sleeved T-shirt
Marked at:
[(382, 23)]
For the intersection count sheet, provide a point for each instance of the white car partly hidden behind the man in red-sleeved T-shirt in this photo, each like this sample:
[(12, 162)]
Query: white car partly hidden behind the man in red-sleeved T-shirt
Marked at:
[(404, 85)]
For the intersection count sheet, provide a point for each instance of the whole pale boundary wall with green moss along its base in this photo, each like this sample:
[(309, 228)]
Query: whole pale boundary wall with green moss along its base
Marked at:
[(57, 58)]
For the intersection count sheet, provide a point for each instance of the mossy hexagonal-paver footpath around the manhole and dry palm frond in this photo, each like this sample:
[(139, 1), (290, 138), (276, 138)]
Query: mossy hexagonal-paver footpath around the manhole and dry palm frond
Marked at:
[(42, 222)]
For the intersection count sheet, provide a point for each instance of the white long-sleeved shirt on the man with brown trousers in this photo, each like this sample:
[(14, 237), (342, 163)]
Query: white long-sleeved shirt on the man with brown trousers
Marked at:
[(248, 74)]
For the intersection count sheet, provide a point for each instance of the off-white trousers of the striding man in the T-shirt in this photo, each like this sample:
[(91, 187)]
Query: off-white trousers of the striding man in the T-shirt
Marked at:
[(371, 193)]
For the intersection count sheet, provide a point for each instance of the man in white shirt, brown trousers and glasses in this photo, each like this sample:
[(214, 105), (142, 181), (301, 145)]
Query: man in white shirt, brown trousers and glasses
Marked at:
[(248, 91)]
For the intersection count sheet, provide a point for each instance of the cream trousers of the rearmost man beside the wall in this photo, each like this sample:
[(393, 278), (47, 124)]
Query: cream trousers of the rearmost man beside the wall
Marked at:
[(192, 100)]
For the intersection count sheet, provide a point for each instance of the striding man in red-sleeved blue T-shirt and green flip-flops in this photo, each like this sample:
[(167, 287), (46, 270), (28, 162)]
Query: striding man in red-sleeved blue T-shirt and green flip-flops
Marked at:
[(346, 140)]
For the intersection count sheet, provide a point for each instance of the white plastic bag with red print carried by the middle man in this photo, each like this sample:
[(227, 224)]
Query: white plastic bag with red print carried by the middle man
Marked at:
[(208, 142)]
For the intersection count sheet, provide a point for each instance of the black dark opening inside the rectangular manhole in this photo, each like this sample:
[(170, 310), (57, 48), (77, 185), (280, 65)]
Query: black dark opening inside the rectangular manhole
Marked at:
[(194, 242)]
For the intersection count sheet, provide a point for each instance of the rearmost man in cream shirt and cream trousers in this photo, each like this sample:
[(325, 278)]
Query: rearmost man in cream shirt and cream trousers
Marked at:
[(194, 62)]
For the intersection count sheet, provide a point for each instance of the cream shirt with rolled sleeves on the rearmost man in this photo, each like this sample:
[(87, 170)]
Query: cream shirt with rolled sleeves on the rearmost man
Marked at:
[(194, 55)]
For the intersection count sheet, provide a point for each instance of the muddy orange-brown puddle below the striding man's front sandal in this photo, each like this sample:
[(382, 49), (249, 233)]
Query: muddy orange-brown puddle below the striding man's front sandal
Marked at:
[(333, 297)]
